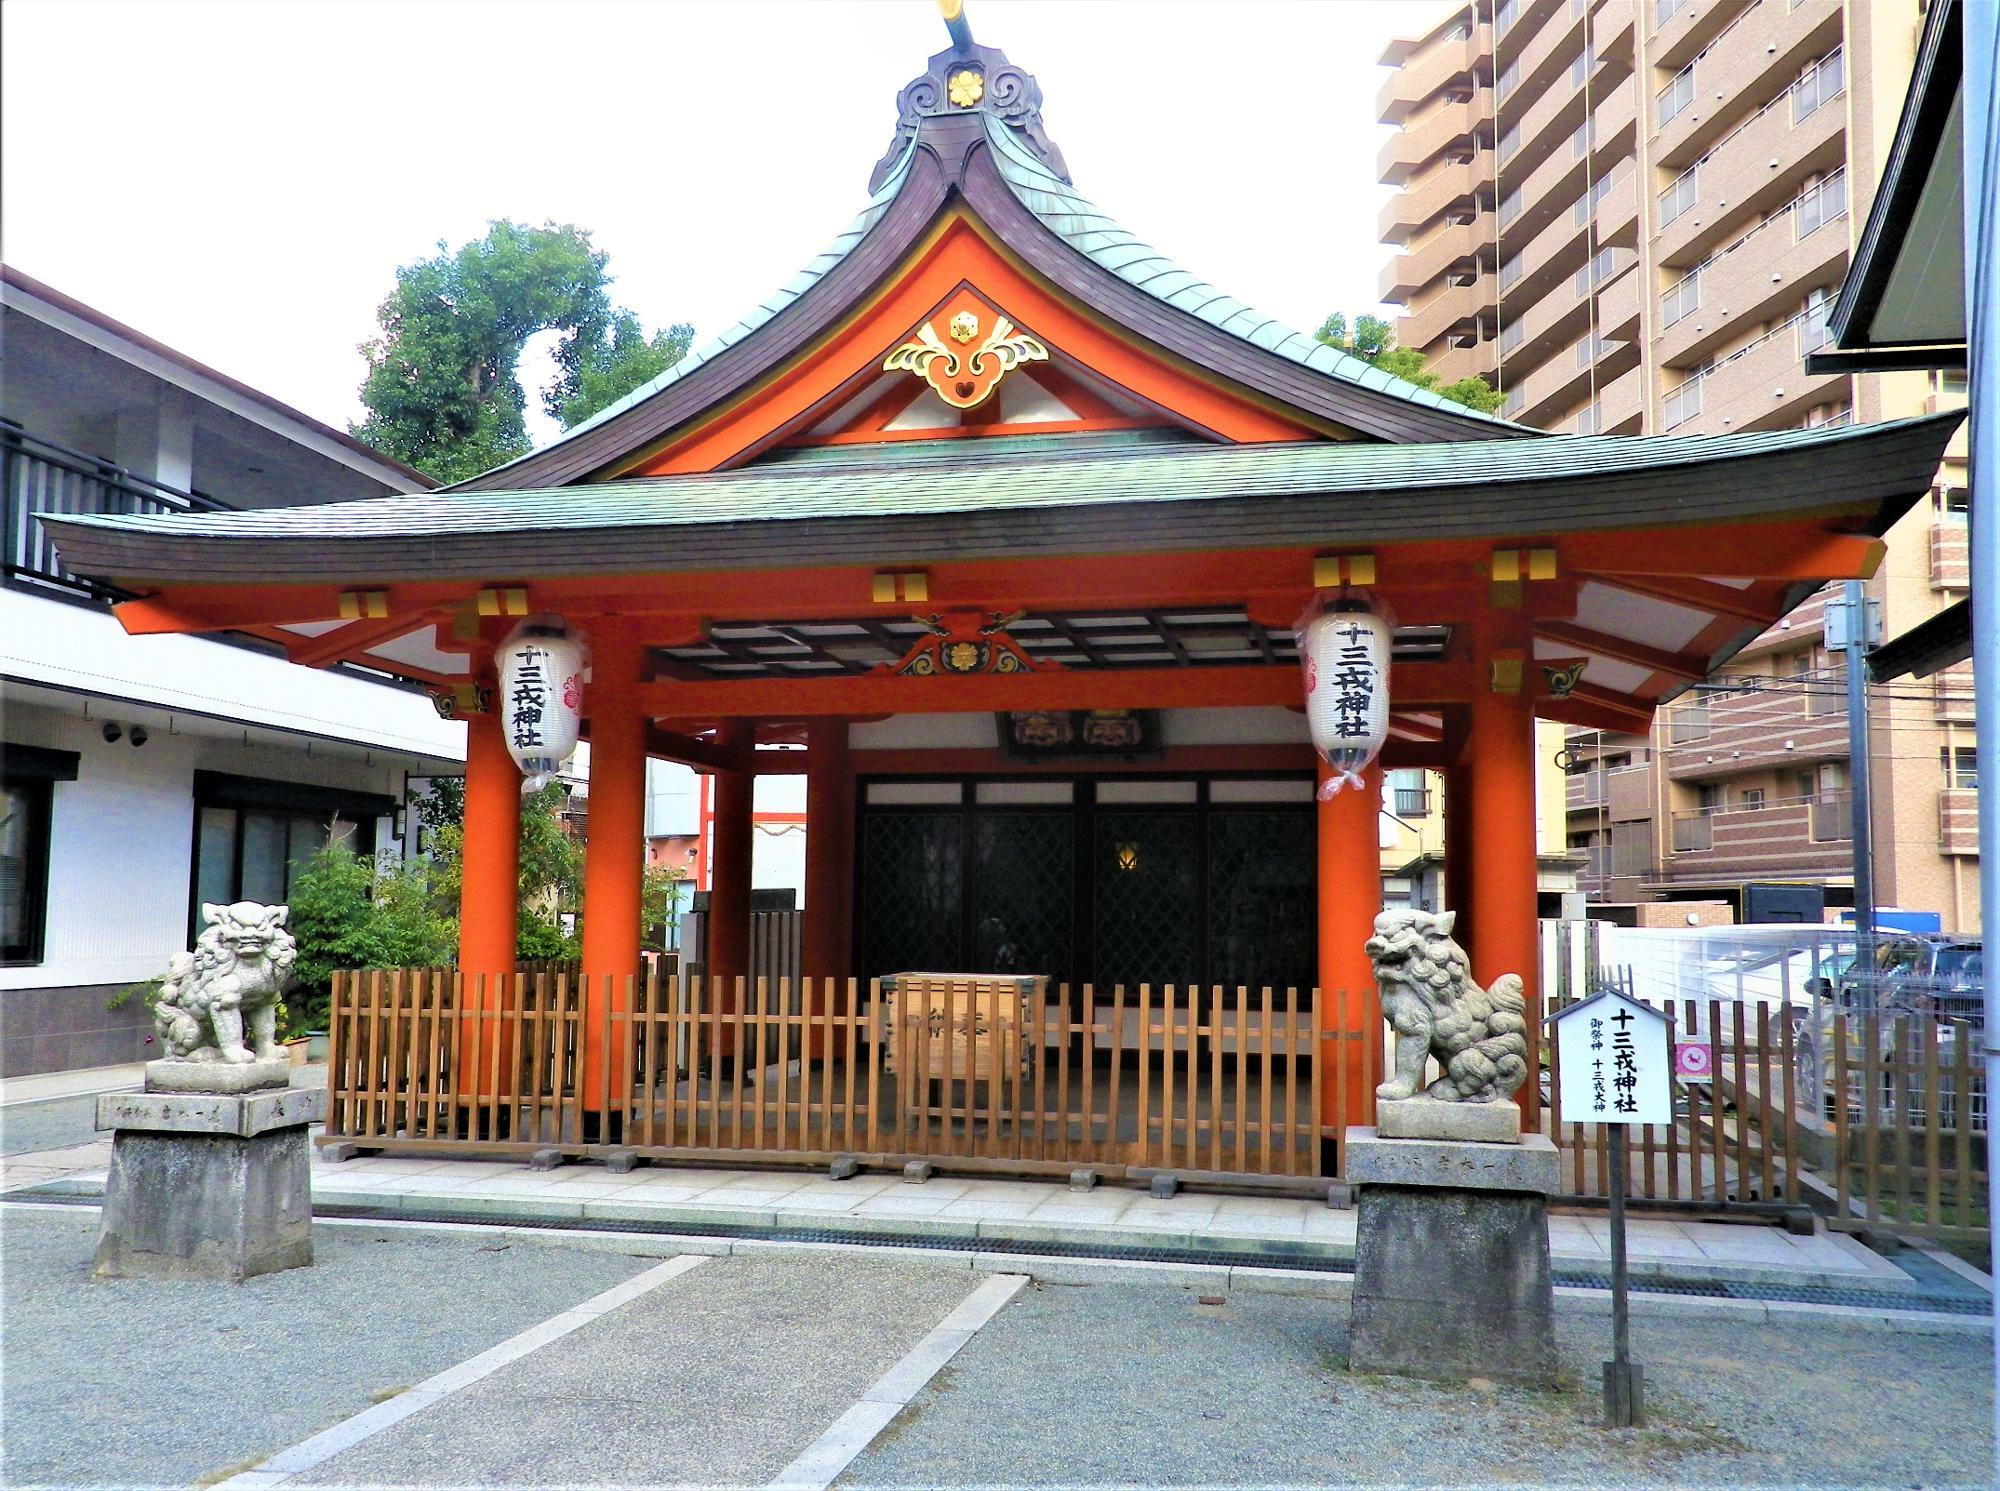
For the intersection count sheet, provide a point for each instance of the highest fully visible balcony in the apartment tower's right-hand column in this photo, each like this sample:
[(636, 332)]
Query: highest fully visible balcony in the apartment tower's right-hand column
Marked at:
[(1757, 167)]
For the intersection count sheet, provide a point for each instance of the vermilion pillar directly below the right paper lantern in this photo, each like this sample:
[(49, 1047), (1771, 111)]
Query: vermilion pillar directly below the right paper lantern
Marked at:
[(1351, 896)]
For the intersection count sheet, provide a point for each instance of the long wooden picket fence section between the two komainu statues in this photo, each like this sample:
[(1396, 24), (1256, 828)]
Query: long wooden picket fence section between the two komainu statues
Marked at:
[(673, 1066)]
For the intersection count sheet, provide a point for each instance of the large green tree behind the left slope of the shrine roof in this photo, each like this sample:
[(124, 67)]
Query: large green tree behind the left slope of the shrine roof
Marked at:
[(443, 389)]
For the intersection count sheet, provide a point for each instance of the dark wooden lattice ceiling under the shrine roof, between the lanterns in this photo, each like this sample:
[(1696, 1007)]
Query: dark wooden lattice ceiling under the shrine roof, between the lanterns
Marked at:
[(1163, 639)]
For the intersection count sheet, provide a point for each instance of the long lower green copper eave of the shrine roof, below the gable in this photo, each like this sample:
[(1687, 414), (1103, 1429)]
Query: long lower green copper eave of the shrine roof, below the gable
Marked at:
[(1013, 481)]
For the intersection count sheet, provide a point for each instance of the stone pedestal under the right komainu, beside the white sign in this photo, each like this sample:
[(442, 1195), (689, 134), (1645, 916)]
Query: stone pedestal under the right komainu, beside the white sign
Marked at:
[(1451, 1262)]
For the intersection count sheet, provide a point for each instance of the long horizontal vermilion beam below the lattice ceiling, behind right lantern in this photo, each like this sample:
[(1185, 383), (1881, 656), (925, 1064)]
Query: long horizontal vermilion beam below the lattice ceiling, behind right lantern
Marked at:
[(1069, 689)]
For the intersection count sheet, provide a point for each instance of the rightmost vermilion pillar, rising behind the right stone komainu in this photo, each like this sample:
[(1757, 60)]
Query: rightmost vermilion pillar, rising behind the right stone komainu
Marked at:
[(1503, 850)]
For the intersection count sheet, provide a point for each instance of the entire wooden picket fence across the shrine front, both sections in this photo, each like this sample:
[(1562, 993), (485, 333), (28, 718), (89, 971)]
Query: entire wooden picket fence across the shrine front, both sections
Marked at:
[(1159, 1078)]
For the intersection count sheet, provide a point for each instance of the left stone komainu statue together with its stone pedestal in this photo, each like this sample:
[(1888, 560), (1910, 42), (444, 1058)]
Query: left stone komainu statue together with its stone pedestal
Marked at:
[(211, 1166)]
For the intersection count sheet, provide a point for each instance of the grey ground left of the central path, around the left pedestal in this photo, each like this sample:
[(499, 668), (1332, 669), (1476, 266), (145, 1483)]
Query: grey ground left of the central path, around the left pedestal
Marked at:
[(129, 1382)]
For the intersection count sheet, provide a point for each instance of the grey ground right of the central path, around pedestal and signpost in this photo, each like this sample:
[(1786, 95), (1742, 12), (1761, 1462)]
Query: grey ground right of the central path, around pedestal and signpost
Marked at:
[(1145, 1386)]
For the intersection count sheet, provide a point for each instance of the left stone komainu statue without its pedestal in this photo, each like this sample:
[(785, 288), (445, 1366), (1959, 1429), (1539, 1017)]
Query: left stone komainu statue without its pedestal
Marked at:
[(221, 1002)]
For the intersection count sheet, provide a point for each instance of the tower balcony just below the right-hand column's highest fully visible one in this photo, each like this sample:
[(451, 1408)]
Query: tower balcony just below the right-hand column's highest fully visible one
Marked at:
[(1763, 275)]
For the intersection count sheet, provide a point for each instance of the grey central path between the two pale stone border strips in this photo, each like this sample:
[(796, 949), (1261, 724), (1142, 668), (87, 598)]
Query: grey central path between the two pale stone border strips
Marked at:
[(755, 1358)]
